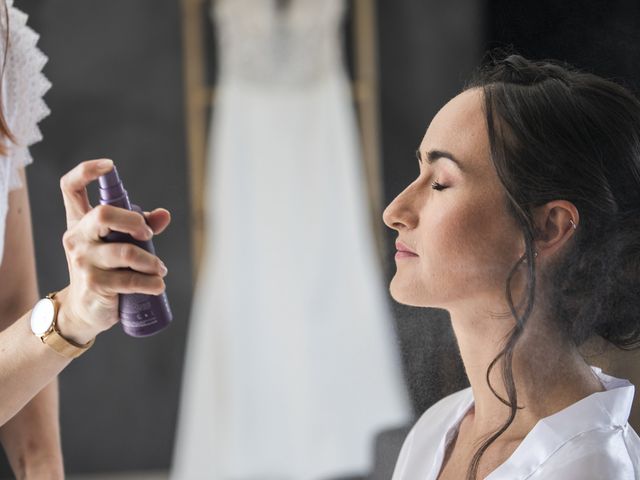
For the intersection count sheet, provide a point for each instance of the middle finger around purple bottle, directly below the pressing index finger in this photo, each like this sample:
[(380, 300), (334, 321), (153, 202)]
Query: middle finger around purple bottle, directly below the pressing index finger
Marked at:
[(103, 219)]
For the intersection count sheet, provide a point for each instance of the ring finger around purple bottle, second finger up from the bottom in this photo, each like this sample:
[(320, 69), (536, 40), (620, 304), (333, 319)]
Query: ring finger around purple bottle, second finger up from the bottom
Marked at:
[(109, 256)]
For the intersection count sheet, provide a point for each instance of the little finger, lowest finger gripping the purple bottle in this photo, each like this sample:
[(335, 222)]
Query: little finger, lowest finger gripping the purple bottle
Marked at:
[(112, 282)]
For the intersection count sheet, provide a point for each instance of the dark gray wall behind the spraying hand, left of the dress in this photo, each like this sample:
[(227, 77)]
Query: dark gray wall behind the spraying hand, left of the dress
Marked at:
[(117, 92)]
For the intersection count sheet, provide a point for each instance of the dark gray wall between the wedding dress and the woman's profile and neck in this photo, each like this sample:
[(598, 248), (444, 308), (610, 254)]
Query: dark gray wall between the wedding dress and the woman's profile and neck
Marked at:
[(427, 51)]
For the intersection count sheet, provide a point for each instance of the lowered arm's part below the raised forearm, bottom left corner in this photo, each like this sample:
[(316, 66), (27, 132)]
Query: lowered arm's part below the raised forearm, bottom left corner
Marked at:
[(31, 439)]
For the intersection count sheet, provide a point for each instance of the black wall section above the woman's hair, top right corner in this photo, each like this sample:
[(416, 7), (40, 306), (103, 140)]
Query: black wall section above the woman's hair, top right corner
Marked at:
[(600, 36)]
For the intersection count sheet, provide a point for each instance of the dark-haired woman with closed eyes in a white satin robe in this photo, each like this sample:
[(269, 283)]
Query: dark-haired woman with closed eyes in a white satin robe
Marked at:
[(524, 224)]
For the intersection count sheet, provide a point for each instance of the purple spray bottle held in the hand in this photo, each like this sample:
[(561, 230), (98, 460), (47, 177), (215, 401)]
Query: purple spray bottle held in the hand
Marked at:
[(141, 315)]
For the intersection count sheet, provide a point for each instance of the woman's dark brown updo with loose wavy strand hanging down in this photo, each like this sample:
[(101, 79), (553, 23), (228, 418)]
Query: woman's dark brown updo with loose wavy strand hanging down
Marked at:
[(558, 133)]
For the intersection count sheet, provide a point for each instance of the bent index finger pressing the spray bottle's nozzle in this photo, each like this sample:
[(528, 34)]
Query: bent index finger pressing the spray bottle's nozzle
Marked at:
[(73, 185)]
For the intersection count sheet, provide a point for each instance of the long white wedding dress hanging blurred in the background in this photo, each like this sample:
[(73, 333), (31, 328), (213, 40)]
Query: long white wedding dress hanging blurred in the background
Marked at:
[(291, 365)]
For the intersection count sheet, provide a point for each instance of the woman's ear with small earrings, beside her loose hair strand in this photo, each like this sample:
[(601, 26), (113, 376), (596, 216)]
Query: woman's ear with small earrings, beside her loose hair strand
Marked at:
[(555, 223)]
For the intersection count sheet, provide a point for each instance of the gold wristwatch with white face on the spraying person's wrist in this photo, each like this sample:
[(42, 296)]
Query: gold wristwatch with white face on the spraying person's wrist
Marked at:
[(44, 324)]
